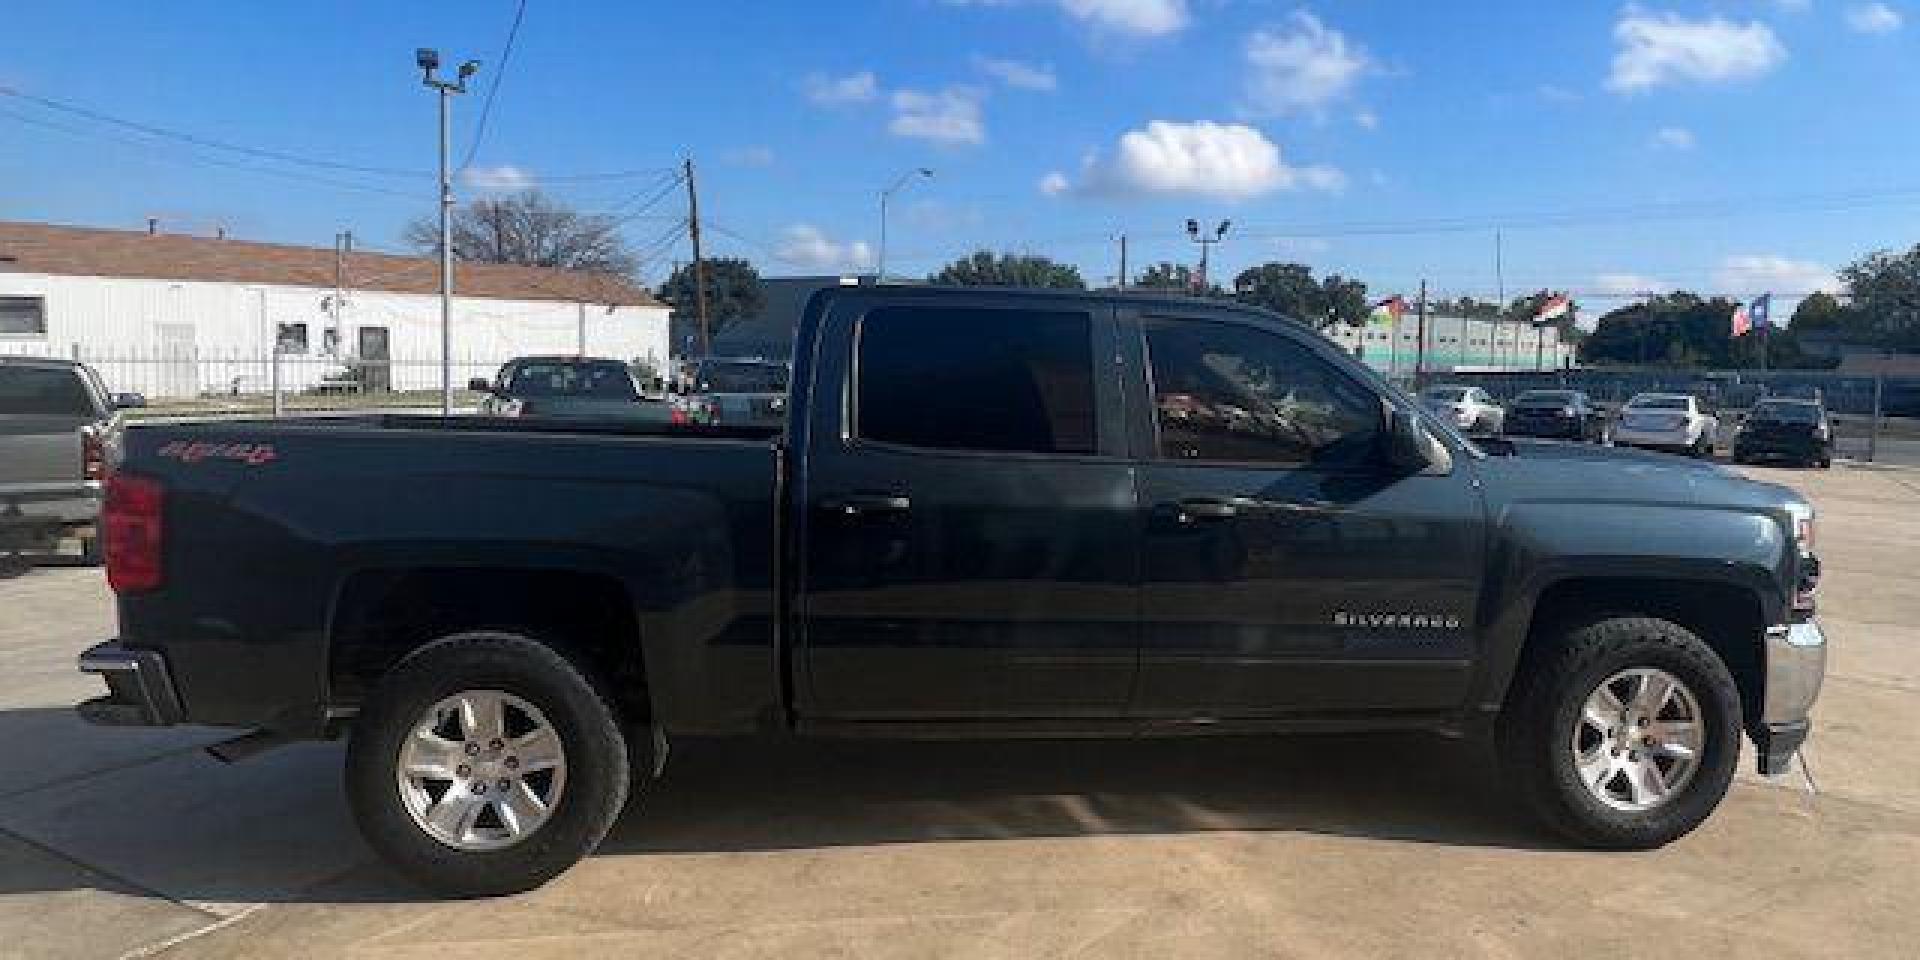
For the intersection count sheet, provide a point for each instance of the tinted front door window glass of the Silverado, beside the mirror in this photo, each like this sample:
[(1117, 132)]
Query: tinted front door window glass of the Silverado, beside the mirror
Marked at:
[(1232, 393)]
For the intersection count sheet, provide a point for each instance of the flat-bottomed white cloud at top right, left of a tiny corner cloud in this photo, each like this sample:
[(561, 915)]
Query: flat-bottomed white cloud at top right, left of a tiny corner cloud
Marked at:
[(1658, 49)]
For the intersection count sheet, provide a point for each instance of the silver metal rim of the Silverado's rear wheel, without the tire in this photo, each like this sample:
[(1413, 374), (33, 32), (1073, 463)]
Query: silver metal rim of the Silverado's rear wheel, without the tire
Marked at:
[(481, 771)]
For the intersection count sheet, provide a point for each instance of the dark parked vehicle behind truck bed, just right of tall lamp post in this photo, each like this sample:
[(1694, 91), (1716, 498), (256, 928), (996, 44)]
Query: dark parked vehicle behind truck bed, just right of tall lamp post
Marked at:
[(569, 387)]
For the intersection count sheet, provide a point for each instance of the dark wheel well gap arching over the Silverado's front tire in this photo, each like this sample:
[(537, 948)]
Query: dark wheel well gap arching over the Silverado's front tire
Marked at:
[(1723, 615)]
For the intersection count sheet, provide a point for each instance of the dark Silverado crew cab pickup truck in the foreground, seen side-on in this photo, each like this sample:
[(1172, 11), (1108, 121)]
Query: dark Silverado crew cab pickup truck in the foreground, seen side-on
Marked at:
[(990, 516)]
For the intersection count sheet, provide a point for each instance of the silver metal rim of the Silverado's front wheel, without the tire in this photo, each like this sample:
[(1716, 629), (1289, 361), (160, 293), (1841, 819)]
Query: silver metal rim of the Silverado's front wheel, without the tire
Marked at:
[(1639, 740)]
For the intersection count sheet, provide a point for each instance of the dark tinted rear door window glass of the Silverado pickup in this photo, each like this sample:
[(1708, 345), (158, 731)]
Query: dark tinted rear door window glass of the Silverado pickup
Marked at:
[(976, 379)]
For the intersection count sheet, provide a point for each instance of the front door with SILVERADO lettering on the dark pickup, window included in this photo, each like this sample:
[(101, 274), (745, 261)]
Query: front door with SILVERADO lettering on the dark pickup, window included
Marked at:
[(1289, 569)]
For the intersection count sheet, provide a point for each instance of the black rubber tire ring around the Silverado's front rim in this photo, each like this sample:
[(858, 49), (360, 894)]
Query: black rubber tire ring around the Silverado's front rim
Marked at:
[(1545, 709)]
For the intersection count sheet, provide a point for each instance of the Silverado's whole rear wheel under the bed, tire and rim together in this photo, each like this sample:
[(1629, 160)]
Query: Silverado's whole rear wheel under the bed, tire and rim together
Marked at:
[(487, 765)]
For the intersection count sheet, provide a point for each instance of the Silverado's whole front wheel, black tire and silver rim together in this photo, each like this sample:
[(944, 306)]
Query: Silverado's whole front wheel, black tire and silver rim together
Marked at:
[(1623, 732)]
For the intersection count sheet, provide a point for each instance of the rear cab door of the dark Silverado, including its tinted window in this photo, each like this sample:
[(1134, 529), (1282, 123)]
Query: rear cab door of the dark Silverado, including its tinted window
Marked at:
[(965, 512)]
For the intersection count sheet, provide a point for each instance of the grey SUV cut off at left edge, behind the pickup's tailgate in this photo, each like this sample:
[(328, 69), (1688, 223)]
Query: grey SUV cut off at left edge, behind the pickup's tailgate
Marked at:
[(57, 425)]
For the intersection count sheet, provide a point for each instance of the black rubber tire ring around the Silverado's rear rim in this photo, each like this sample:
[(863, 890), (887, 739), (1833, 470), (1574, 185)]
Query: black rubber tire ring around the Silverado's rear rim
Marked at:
[(583, 717)]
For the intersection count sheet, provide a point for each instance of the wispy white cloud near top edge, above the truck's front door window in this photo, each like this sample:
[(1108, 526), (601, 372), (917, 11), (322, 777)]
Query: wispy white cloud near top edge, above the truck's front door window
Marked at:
[(1303, 66)]
